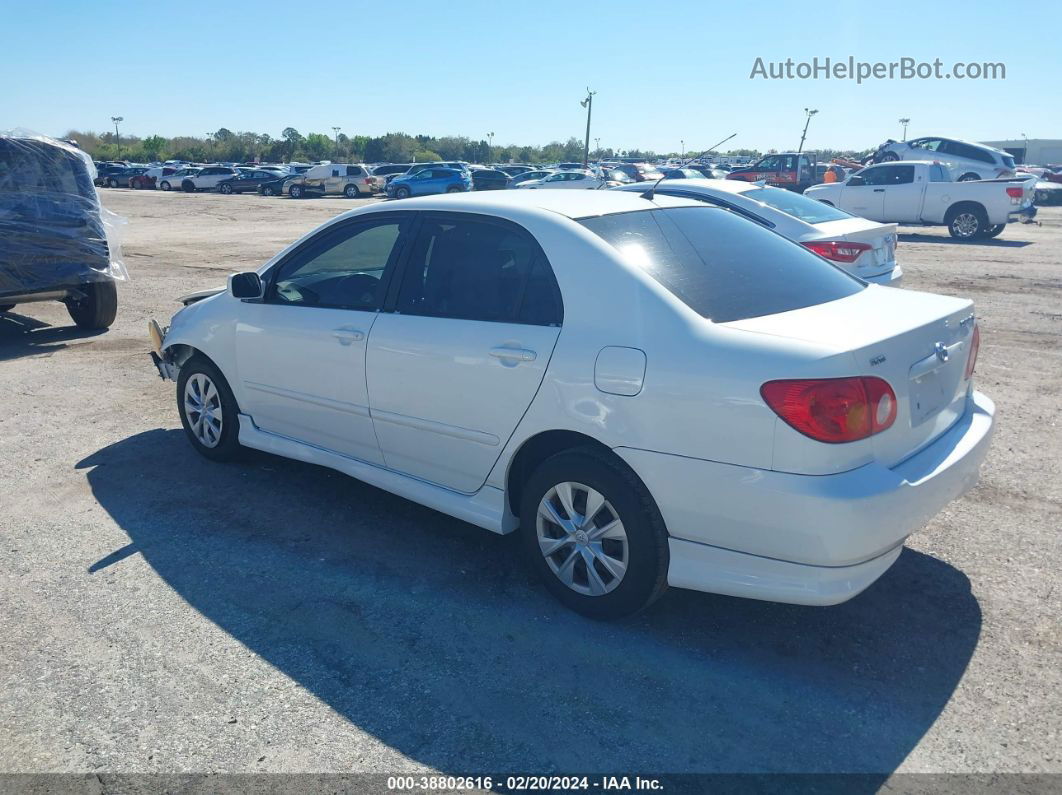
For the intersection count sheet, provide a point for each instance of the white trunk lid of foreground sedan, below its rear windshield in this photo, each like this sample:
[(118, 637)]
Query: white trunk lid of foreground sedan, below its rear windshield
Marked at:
[(918, 342)]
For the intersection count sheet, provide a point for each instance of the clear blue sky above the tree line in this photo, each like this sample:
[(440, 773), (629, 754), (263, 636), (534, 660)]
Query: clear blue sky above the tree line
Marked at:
[(664, 72)]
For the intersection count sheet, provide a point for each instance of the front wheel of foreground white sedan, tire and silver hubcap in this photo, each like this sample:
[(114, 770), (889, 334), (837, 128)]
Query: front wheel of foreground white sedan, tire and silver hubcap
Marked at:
[(209, 411)]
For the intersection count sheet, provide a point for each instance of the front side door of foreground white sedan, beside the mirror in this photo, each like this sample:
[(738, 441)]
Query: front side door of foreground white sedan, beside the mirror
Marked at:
[(301, 351)]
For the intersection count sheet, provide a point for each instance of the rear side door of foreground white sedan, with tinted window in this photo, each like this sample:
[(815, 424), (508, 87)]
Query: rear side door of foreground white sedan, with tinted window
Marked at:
[(455, 366)]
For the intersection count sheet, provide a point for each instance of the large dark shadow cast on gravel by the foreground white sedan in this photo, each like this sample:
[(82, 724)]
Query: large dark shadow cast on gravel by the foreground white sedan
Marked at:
[(429, 634)]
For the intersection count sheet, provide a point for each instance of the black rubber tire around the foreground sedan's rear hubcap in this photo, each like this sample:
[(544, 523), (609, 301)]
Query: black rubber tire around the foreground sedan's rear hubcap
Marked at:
[(645, 578)]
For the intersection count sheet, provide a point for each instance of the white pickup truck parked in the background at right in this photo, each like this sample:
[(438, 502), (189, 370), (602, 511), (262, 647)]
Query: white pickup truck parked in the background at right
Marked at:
[(922, 194)]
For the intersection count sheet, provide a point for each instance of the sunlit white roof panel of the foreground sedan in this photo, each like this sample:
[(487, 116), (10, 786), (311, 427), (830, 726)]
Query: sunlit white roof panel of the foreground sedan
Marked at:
[(573, 204)]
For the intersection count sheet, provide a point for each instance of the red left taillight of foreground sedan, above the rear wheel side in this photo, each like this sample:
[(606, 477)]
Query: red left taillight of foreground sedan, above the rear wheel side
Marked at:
[(833, 410)]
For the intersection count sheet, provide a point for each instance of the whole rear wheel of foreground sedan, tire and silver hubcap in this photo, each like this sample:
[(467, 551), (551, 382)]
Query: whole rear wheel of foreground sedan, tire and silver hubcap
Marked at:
[(593, 533)]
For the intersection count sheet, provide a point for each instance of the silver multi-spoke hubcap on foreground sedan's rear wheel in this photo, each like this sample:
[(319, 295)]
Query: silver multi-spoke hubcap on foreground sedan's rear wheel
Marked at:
[(583, 539)]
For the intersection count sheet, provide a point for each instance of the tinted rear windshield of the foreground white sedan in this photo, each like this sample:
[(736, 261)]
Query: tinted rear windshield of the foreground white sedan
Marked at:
[(722, 266)]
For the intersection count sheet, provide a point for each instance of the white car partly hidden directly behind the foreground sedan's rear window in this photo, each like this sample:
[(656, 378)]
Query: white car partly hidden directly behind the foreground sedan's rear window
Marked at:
[(865, 249)]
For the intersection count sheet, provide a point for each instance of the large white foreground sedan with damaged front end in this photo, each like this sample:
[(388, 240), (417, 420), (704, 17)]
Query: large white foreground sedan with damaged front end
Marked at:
[(650, 392)]
